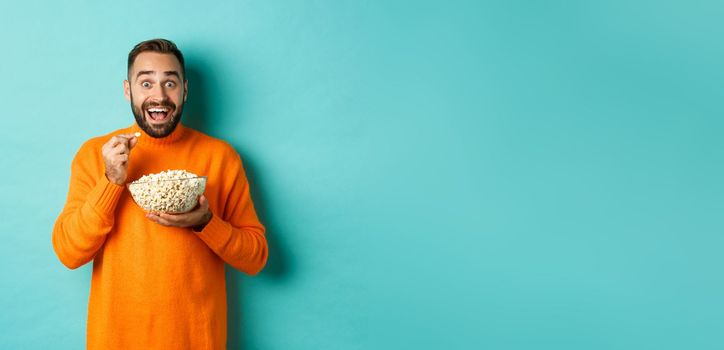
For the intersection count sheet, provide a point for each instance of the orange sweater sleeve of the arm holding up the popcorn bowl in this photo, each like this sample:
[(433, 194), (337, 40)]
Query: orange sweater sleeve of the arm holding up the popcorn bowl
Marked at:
[(234, 232)]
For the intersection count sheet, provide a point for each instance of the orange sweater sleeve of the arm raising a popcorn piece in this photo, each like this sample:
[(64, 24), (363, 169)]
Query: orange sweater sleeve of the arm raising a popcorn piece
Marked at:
[(88, 214)]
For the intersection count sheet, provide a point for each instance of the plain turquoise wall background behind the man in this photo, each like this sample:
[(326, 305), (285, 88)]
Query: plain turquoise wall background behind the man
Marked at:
[(433, 175)]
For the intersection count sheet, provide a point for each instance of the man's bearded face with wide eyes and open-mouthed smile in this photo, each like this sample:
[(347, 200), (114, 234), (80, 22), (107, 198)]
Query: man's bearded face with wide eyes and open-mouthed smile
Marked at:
[(157, 92)]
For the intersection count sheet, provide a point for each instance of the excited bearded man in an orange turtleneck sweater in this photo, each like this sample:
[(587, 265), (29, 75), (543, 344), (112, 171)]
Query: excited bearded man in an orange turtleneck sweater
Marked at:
[(158, 279)]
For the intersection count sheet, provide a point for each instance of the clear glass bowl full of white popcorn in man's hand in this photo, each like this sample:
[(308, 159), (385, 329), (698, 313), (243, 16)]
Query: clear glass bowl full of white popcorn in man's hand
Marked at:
[(171, 191)]
